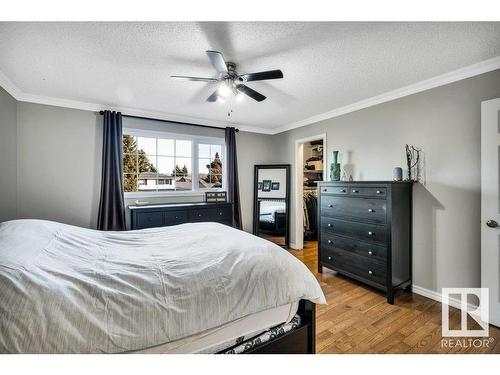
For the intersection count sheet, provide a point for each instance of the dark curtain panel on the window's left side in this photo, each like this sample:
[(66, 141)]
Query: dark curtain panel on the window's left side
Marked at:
[(112, 204)]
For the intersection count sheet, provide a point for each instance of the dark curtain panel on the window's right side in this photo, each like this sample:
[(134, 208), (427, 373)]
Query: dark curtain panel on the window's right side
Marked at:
[(233, 190)]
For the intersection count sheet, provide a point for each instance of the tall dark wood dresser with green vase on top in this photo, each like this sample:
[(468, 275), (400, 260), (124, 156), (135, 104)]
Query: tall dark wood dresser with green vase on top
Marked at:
[(365, 232)]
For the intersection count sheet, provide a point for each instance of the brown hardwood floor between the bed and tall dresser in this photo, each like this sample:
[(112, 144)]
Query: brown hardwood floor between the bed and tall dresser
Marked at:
[(358, 319)]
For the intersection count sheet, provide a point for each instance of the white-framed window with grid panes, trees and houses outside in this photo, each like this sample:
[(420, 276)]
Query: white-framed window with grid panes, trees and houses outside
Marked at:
[(164, 163)]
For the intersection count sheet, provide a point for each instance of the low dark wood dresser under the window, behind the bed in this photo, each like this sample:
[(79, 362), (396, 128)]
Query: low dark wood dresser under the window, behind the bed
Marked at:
[(163, 215)]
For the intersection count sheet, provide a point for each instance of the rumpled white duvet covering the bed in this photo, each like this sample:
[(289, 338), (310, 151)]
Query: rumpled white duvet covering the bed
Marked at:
[(65, 289)]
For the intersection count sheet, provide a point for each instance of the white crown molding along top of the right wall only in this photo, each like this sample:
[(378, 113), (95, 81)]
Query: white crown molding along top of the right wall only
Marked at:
[(441, 80)]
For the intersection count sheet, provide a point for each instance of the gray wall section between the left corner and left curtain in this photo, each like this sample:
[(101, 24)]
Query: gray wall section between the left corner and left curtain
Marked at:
[(59, 158)]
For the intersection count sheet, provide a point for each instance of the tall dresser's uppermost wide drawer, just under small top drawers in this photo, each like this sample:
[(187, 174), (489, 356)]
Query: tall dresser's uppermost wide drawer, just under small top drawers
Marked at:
[(364, 209)]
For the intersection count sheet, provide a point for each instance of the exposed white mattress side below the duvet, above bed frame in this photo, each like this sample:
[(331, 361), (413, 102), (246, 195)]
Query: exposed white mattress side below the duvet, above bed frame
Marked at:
[(227, 335)]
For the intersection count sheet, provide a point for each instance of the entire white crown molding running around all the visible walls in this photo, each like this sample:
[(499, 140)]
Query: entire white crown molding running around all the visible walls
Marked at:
[(441, 80)]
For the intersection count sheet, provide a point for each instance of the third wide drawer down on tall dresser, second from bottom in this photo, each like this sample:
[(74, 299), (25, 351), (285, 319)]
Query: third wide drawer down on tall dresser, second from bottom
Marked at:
[(365, 249)]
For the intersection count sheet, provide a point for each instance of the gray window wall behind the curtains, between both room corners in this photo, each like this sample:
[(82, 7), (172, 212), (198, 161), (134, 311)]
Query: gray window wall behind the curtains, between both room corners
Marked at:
[(59, 158)]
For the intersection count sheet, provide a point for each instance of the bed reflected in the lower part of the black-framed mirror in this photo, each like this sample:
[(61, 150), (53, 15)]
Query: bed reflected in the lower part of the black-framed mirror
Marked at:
[(272, 216)]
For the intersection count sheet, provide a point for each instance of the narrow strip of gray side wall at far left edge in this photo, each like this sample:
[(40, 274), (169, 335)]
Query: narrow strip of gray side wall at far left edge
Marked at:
[(8, 156)]
